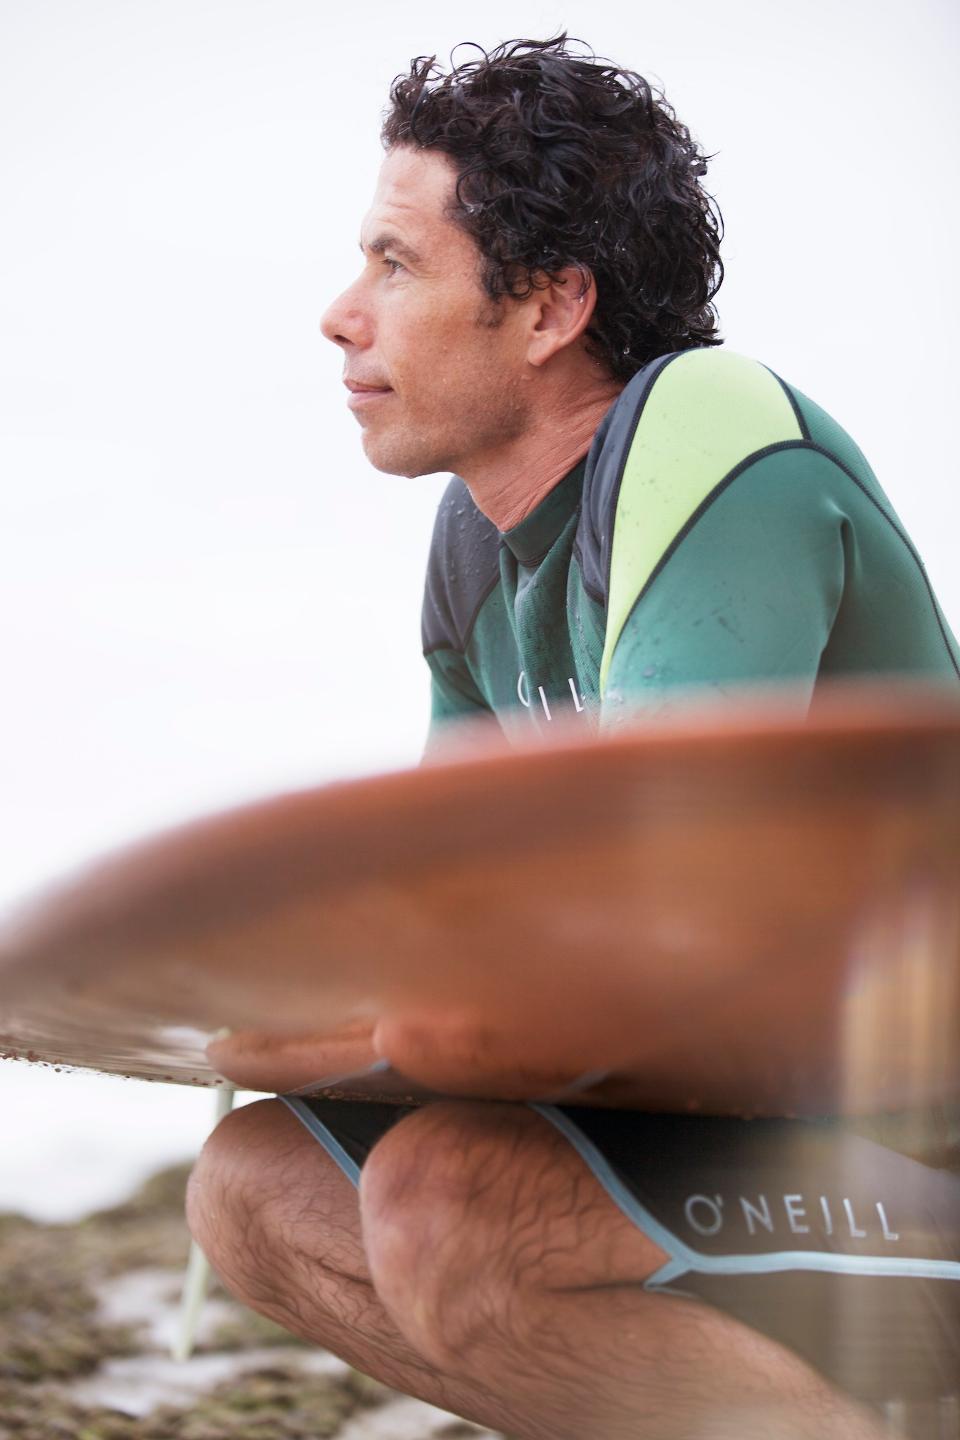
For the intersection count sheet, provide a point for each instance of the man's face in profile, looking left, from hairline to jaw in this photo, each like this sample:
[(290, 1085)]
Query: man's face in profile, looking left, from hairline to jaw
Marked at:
[(441, 387)]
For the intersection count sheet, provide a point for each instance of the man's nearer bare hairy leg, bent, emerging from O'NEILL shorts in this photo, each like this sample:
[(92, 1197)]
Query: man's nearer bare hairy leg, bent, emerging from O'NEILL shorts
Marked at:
[(503, 1261)]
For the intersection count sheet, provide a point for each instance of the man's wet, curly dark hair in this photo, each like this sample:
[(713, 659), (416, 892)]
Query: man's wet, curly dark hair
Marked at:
[(568, 161)]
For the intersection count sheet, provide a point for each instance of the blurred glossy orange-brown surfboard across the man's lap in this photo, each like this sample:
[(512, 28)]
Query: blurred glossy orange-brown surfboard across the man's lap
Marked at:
[(735, 909)]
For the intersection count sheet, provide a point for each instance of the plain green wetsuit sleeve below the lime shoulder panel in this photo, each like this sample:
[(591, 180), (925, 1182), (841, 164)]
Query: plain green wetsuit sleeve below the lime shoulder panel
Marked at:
[(746, 593)]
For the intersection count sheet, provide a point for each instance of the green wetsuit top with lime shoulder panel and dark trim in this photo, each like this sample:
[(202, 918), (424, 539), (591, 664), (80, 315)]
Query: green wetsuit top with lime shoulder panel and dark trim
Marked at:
[(722, 531)]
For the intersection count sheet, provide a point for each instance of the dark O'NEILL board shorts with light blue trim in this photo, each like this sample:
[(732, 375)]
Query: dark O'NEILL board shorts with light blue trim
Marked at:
[(843, 1249)]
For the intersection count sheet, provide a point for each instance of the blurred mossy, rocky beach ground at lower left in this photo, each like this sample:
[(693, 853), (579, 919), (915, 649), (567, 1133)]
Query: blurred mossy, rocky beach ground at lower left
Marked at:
[(89, 1313)]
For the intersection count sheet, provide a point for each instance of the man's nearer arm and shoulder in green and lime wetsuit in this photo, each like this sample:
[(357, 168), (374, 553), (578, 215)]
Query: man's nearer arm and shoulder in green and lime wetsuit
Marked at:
[(743, 539)]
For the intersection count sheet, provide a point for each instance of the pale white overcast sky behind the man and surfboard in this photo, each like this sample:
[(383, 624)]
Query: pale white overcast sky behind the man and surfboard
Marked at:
[(205, 591)]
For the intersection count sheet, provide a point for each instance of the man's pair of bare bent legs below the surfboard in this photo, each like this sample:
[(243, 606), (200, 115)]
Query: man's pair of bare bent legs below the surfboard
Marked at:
[(489, 1272)]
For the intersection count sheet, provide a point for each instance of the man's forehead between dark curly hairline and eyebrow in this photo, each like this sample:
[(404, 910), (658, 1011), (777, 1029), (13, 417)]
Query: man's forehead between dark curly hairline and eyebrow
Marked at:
[(414, 192)]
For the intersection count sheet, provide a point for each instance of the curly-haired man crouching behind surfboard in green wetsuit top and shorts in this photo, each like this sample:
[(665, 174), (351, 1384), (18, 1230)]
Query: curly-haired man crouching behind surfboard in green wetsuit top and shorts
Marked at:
[(637, 516)]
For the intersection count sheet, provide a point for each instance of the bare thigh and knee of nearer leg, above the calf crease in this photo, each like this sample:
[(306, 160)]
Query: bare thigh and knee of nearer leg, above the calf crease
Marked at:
[(477, 1196)]
